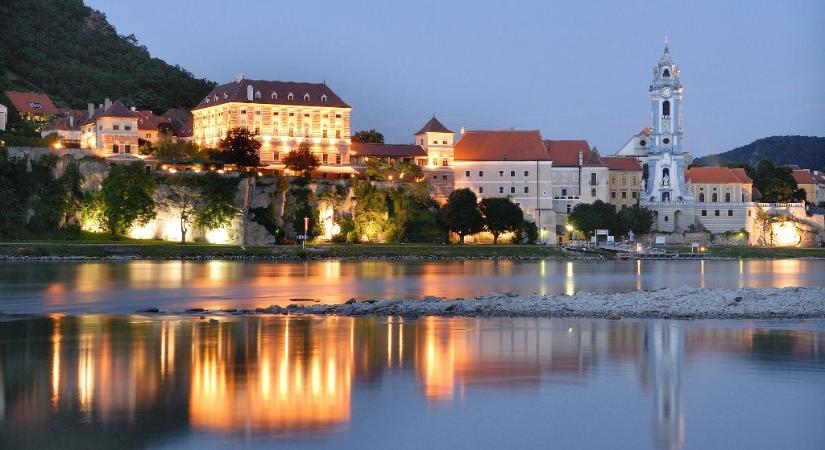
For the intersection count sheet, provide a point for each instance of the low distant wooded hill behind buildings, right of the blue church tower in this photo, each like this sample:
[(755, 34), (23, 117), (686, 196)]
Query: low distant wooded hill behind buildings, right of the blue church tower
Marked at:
[(807, 152)]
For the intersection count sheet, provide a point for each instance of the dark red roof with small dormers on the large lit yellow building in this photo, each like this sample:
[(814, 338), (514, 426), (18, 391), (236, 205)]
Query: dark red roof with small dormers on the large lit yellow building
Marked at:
[(236, 91)]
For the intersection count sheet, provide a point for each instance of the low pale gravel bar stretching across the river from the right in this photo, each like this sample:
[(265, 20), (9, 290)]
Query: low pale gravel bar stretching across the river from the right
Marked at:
[(669, 303)]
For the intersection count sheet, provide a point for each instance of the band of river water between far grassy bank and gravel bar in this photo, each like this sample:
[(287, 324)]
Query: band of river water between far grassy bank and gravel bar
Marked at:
[(177, 285)]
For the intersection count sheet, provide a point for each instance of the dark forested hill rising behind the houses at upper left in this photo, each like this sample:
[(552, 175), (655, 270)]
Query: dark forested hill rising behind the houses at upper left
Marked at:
[(69, 51)]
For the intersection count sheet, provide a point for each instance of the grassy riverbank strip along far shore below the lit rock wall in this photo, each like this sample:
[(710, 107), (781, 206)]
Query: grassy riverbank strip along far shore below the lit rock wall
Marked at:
[(165, 250)]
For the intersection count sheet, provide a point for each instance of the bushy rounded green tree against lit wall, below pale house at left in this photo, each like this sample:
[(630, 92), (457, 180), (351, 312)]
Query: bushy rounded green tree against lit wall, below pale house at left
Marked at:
[(127, 197)]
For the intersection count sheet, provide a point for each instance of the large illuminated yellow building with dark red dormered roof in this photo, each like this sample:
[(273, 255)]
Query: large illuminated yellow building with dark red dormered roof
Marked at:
[(281, 115)]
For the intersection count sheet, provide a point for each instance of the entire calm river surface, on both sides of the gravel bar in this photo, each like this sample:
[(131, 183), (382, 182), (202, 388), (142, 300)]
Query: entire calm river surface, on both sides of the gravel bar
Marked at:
[(84, 372)]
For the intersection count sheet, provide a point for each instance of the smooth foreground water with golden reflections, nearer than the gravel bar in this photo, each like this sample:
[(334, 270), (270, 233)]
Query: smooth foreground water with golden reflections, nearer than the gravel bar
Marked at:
[(108, 381)]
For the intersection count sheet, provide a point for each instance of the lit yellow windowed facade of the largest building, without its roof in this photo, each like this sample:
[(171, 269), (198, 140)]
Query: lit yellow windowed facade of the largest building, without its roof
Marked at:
[(280, 128)]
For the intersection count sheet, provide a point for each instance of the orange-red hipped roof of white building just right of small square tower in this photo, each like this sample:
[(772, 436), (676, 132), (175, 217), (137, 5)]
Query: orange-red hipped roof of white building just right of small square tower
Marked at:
[(515, 145)]
